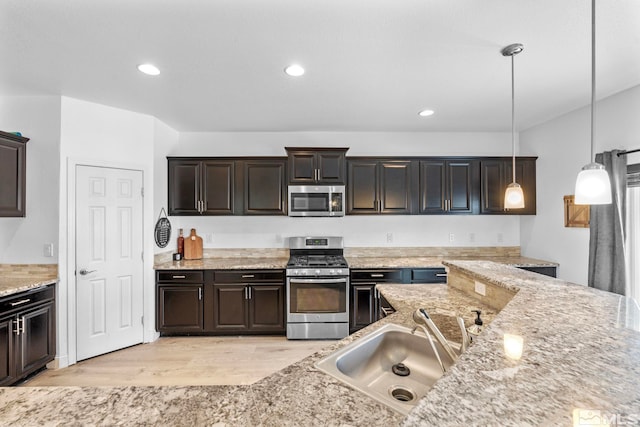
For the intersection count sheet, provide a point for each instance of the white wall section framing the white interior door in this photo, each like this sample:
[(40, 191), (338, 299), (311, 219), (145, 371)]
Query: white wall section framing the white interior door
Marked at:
[(101, 135)]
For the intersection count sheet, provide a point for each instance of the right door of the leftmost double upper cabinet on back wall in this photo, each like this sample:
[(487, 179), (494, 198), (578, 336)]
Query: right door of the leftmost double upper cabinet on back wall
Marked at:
[(218, 187)]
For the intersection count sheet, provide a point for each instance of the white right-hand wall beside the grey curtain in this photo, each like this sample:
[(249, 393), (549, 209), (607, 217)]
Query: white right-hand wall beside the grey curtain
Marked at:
[(563, 147)]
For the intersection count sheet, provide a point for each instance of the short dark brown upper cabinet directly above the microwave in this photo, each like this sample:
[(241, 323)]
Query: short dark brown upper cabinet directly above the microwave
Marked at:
[(317, 165)]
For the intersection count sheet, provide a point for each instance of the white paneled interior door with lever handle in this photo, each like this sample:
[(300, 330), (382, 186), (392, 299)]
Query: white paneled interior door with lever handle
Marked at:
[(109, 266)]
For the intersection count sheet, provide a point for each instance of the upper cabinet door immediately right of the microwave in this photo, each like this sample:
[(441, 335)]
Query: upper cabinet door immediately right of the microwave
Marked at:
[(362, 191)]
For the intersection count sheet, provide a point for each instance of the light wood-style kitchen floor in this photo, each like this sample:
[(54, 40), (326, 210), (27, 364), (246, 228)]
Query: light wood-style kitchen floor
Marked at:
[(185, 361)]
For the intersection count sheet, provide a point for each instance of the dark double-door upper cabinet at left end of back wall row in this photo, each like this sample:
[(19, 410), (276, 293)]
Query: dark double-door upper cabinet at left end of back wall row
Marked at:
[(201, 187)]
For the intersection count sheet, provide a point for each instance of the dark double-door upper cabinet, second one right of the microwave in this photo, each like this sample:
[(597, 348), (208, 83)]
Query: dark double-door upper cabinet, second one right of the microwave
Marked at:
[(449, 186)]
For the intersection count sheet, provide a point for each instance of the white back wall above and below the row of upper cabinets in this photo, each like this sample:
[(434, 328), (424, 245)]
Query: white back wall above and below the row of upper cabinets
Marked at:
[(432, 230)]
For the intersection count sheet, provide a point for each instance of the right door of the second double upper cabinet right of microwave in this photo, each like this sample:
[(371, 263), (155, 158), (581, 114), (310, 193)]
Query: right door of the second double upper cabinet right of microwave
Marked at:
[(461, 182)]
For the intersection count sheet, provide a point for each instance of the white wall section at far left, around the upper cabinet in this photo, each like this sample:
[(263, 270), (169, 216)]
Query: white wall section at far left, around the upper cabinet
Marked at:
[(38, 118)]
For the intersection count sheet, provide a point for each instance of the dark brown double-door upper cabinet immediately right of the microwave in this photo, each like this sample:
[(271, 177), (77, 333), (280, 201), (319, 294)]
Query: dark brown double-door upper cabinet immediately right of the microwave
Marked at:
[(377, 186)]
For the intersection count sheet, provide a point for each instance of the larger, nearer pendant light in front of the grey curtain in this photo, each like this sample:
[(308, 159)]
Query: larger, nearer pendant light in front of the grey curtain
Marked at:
[(593, 186)]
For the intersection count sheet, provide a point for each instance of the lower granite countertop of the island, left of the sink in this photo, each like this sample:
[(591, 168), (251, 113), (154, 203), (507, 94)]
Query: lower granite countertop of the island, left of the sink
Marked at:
[(296, 395)]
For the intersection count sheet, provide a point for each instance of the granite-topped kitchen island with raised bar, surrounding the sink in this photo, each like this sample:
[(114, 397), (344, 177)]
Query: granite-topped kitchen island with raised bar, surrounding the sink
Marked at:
[(578, 355)]
